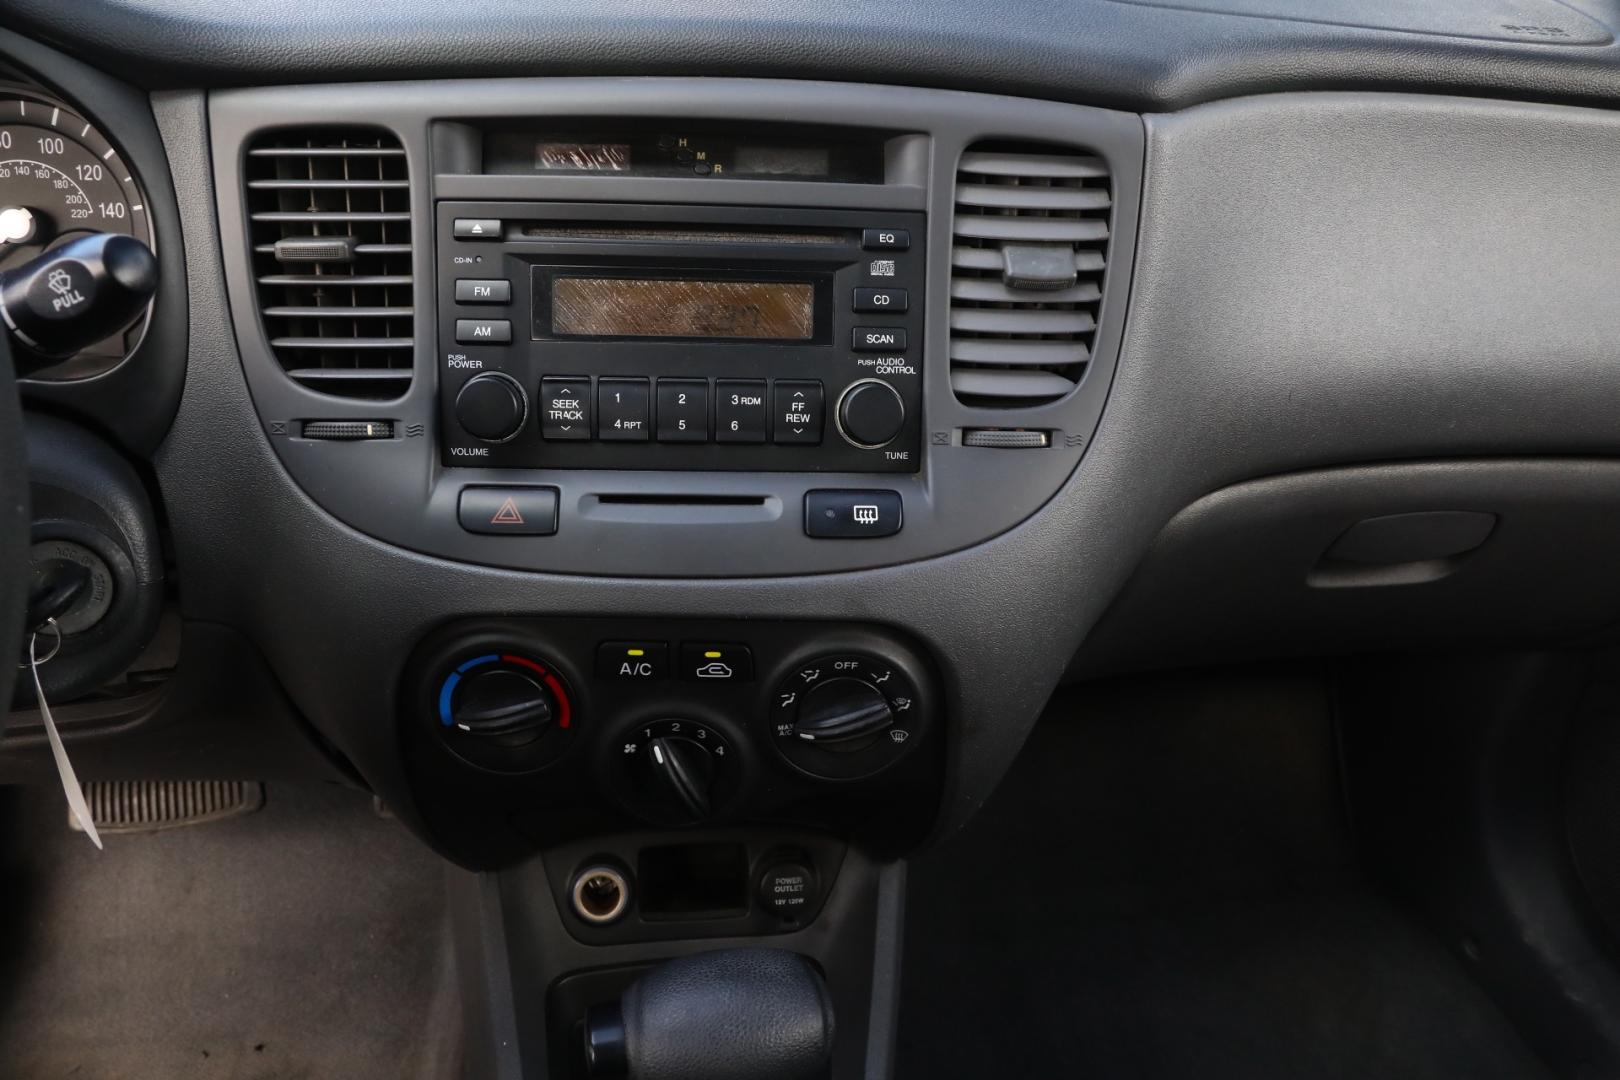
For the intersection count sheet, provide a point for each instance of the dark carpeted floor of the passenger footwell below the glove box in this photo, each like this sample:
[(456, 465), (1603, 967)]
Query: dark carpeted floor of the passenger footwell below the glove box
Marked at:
[(1164, 890)]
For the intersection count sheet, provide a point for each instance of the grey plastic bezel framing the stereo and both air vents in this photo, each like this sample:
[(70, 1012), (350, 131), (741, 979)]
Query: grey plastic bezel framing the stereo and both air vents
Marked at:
[(398, 491)]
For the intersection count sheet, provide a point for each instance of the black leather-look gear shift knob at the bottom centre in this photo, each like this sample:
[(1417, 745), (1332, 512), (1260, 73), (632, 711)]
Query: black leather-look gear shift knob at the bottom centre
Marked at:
[(740, 1014)]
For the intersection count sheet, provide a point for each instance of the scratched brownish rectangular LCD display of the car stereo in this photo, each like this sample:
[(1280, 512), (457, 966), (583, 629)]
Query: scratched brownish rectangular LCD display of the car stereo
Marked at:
[(683, 308)]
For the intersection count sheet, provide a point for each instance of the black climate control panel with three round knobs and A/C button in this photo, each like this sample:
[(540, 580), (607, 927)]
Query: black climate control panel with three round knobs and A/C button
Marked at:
[(529, 733)]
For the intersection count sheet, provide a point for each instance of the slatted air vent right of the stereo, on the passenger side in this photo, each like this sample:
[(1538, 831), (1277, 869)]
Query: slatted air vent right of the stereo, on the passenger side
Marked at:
[(1031, 242)]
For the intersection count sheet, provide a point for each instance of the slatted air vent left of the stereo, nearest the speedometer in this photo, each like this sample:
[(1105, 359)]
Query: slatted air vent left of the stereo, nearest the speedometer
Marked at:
[(330, 224)]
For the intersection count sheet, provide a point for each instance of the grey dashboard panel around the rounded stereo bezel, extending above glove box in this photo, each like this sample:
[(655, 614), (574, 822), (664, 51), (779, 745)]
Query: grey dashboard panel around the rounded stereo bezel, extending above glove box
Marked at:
[(1321, 281)]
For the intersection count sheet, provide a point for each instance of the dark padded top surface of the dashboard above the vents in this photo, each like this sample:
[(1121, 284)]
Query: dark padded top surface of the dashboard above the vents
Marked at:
[(1102, 53)]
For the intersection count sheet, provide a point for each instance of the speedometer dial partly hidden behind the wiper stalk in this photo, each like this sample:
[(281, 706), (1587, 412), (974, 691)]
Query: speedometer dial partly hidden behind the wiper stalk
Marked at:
[(61, 179)]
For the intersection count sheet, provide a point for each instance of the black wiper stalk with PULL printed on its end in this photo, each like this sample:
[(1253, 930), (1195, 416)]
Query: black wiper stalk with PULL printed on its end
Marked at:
[(79, 294)]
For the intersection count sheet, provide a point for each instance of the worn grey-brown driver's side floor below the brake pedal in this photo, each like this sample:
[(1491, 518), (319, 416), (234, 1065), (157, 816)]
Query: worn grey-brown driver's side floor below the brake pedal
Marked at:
[(305, 940)]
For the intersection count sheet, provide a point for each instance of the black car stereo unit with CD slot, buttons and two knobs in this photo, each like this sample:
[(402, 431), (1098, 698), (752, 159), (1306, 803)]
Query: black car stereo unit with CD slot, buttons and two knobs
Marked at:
[(680, 338)]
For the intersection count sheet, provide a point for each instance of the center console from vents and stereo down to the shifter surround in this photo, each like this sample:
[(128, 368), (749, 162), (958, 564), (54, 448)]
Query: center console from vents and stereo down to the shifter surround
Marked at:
[(607, 352)]
